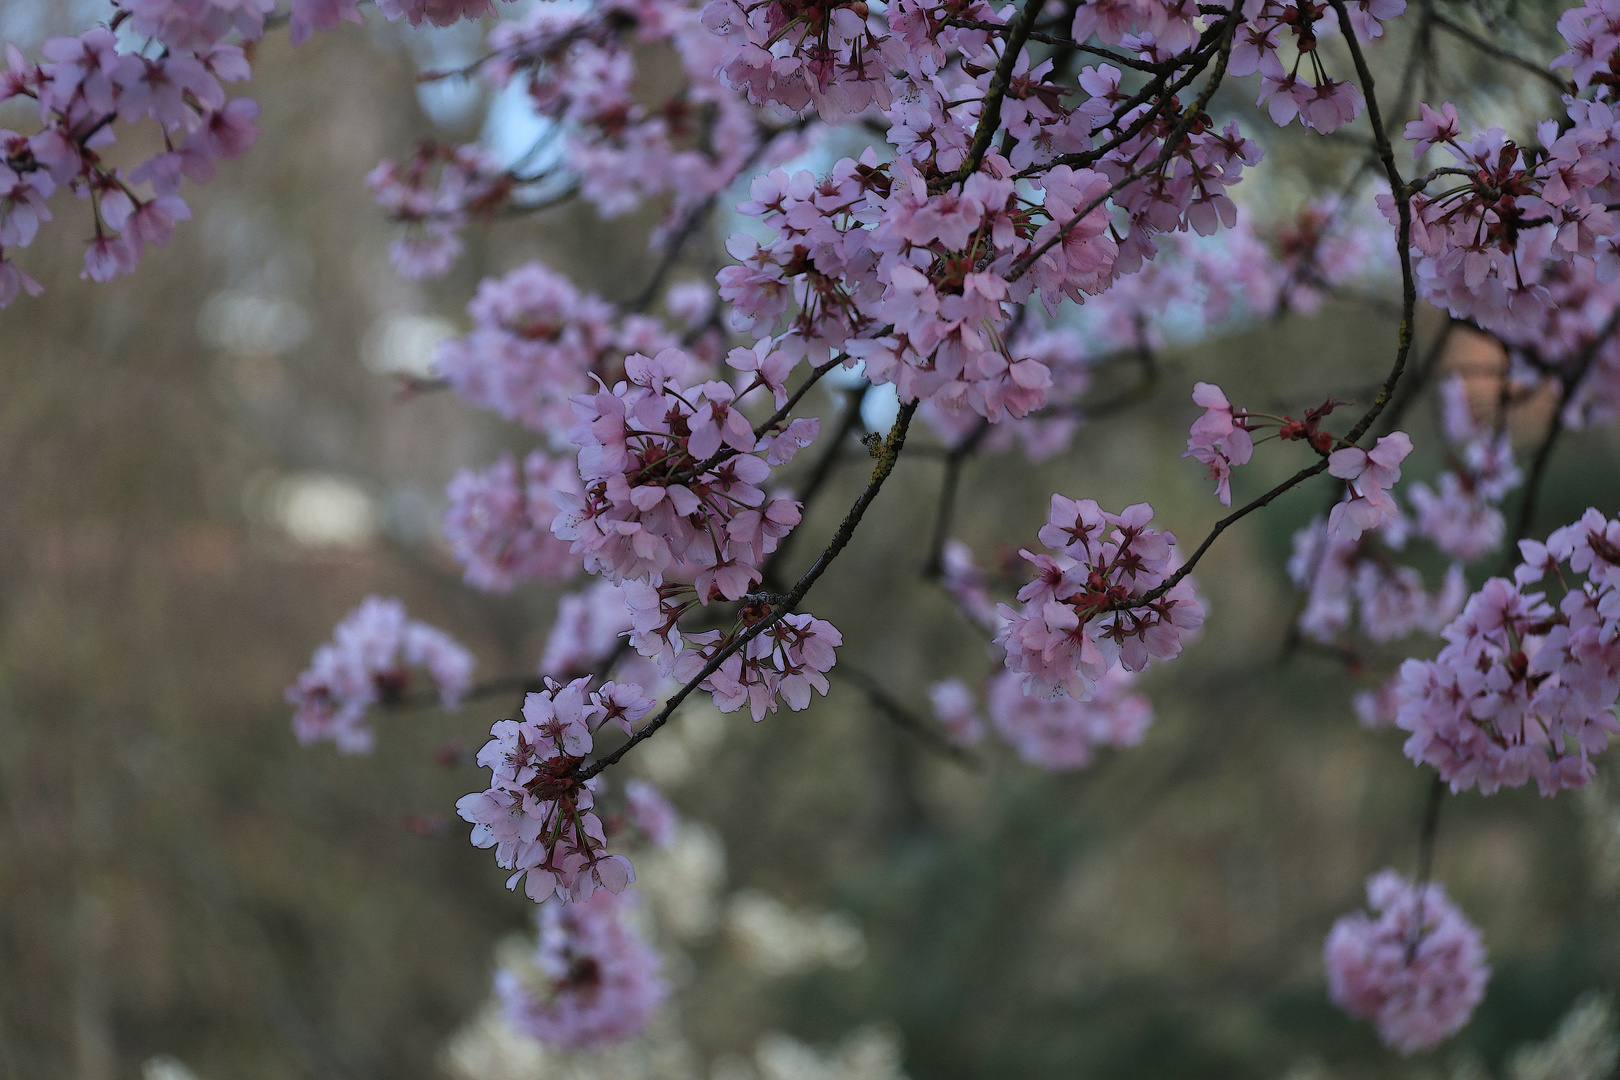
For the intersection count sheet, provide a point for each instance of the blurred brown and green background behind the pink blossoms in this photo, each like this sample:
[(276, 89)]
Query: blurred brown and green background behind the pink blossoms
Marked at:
[(205, 466)]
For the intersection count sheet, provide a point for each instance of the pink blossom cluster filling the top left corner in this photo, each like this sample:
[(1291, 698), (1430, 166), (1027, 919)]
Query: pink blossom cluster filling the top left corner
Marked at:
[(90, 91)]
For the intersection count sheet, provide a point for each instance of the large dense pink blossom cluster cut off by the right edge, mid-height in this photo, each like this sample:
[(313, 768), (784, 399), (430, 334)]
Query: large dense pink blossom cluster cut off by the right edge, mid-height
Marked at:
[(1525, 691)]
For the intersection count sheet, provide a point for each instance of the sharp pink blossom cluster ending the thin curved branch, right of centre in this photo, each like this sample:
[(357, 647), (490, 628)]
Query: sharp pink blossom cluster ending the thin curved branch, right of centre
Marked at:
[(1098, 603)]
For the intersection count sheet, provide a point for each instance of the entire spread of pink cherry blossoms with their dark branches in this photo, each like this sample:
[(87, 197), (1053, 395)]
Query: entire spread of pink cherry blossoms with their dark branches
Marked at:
[(1021, 224)]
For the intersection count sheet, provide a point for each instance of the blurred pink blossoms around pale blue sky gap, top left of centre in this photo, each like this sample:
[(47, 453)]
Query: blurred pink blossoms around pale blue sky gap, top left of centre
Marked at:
[(608, 140)]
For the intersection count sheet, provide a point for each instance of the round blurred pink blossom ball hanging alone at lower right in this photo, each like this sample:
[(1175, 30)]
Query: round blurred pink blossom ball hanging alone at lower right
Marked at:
[(1415, 967)]
